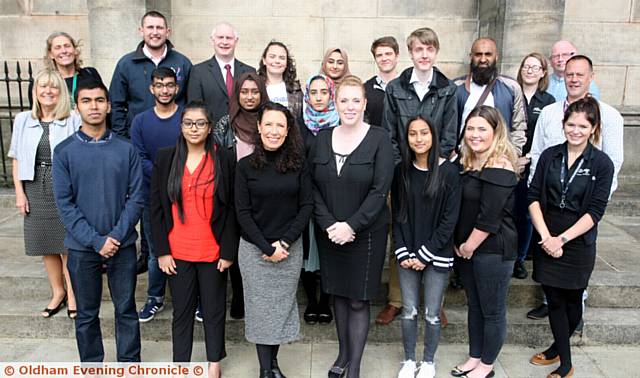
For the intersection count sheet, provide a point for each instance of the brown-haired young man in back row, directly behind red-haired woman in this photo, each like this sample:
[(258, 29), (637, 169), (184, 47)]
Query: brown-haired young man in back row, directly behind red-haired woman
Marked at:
[(385, 51)]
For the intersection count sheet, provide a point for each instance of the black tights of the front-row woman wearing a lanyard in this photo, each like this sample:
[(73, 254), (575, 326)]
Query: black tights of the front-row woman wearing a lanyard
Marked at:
[(565, 312)]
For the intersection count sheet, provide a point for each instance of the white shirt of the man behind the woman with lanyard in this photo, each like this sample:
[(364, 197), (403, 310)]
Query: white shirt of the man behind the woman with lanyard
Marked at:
[(549, 132)]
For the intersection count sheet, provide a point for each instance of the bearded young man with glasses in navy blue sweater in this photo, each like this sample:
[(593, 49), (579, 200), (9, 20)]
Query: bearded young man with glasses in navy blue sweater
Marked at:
[(151, 130)]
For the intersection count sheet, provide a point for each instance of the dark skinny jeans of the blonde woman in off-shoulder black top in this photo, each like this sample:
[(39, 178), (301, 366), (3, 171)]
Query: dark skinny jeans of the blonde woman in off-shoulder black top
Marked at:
[(486, 283)]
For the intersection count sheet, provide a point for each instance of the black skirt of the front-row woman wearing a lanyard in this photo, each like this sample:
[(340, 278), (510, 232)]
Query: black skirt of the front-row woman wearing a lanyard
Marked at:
[(573, 269)]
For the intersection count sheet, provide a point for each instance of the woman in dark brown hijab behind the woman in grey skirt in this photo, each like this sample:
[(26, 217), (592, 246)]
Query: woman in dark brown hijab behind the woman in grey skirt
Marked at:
[(238, 129)]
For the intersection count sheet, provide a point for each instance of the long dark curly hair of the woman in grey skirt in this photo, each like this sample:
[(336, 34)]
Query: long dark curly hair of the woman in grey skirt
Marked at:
[(290, 155)]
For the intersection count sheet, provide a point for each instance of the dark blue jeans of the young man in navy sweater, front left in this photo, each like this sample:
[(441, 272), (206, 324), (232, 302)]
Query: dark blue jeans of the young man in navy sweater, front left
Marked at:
[(85, 270)]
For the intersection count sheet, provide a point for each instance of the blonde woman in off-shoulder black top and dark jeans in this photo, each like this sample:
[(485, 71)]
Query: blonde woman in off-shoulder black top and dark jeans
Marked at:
[(485, 238)]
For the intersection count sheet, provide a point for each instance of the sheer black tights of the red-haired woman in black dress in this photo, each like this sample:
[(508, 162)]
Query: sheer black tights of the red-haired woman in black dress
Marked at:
[(352, 323)]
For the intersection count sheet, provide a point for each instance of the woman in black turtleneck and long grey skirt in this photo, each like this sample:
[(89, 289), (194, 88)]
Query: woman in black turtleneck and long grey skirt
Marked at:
[(273, 194)]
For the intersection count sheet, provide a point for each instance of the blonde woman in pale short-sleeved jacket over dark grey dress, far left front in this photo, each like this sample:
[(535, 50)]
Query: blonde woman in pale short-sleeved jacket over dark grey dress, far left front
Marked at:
[(35, 135)]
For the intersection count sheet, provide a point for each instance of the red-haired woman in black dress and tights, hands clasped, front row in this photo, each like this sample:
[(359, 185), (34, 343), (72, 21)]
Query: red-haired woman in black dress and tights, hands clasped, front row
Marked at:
[(352, 173)]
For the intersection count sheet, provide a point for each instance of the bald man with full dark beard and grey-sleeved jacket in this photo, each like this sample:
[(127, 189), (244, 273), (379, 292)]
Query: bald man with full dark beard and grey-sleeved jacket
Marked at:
[(484, 86)]
